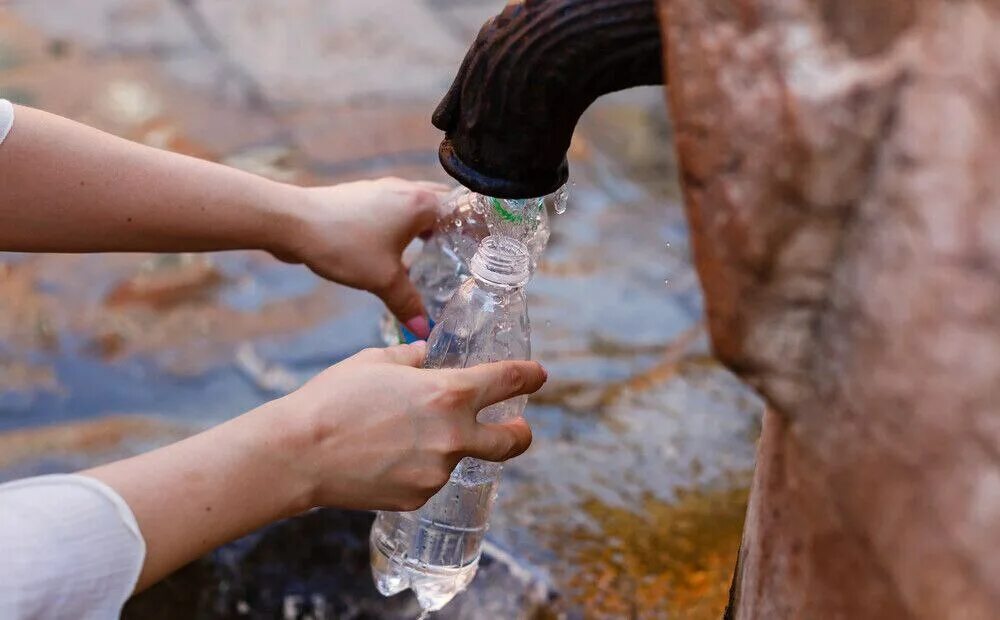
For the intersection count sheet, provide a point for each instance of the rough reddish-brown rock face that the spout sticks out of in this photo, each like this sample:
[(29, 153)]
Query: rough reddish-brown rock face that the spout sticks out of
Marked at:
[(840, 166)]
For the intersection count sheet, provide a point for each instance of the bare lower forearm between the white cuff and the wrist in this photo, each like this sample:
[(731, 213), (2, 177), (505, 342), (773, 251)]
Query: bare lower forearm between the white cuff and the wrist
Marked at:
[(190, 497)]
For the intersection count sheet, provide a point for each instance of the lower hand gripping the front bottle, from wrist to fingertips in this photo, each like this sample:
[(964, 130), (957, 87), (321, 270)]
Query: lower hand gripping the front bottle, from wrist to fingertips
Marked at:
[(379, 432)]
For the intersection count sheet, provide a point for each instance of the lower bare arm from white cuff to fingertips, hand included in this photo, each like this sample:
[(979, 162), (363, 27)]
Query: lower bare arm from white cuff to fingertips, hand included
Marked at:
[(373, 432)]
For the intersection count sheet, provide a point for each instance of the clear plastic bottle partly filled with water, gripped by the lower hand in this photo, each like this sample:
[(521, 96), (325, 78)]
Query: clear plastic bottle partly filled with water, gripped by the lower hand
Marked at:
[(435, 550)]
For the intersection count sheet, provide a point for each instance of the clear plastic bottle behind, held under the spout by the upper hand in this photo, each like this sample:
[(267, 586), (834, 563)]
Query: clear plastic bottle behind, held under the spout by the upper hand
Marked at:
[(466, 218)]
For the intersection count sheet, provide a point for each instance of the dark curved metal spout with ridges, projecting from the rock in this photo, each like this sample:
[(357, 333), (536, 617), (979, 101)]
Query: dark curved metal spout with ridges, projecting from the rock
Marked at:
[(532, 71)]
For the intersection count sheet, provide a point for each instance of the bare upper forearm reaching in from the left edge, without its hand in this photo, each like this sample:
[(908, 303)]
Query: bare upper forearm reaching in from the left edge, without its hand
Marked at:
[(66, 187)]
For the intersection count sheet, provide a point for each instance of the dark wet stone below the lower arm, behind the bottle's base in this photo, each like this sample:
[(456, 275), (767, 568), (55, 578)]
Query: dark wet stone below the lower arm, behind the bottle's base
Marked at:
[(316, 566)]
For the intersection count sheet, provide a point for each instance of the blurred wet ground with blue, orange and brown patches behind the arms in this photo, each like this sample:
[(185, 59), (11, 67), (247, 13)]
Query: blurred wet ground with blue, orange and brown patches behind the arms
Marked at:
[(630, 502)]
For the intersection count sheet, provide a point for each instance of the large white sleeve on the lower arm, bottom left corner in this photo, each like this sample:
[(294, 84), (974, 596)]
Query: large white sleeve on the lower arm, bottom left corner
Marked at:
[(70, 548)]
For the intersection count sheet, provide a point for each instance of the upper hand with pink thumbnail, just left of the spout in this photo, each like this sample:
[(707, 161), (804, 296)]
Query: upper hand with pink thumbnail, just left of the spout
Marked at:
[(355, 234)]
